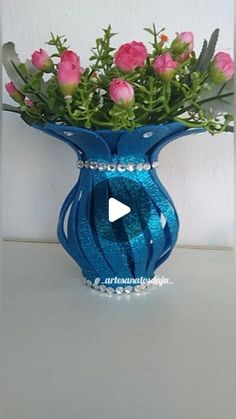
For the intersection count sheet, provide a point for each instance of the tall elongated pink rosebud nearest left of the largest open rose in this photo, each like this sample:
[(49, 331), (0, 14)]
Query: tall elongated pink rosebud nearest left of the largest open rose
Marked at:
[(68, 76)]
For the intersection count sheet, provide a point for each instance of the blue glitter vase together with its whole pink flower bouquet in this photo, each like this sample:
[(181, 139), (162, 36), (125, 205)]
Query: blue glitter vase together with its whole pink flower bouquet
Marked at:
[(117, 114)]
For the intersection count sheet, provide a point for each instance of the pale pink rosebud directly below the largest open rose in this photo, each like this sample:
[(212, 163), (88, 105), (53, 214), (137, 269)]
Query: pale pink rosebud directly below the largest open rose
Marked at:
[(121, 92)]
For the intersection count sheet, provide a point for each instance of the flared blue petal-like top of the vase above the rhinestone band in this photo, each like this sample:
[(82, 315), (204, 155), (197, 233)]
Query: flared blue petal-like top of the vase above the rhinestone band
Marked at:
[(106, 145)]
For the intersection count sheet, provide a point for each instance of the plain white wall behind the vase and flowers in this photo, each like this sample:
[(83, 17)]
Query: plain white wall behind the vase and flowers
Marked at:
[(39, 171)]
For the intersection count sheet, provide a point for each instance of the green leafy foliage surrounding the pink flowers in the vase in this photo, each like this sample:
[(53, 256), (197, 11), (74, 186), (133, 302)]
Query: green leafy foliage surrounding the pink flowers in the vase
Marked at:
[(190, 97)]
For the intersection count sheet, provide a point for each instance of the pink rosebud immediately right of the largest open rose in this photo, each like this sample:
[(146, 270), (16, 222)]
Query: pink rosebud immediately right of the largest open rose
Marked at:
[(164, 66)]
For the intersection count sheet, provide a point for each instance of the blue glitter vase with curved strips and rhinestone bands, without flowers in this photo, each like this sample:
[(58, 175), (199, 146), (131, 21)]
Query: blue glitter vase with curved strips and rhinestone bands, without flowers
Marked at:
[(119, 256)]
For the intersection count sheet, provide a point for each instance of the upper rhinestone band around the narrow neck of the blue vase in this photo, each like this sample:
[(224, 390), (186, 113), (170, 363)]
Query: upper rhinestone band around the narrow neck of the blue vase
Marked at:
[(120, 167)]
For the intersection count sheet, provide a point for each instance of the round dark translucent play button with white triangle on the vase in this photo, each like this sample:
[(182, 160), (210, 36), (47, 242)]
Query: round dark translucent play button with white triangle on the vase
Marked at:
[(120, 209)]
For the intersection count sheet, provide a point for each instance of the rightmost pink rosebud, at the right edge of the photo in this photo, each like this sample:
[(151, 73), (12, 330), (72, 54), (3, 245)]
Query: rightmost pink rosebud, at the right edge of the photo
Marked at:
[(221, 68)]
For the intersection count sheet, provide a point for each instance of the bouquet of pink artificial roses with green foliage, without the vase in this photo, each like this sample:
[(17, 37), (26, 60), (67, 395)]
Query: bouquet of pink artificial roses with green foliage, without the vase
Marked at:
[(124, 88)]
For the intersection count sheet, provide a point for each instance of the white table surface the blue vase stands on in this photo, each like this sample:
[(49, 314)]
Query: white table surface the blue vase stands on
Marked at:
[(71, 352)]
